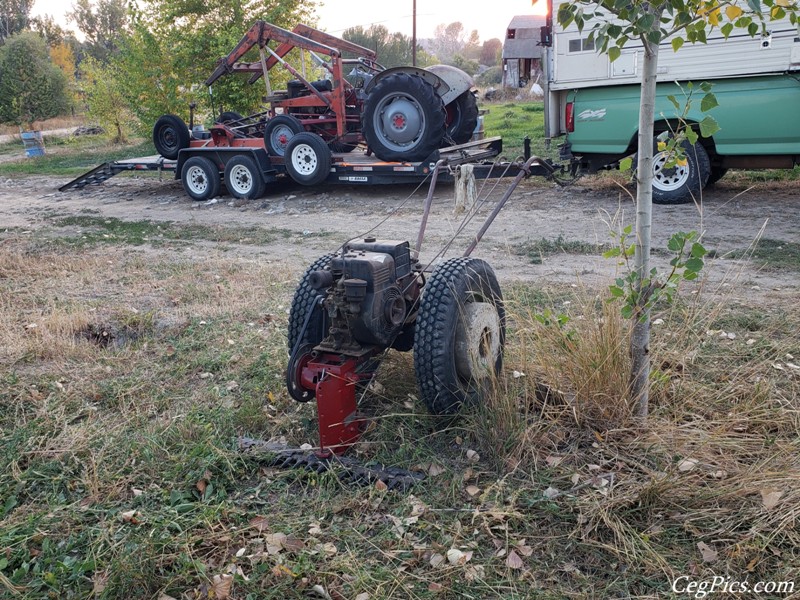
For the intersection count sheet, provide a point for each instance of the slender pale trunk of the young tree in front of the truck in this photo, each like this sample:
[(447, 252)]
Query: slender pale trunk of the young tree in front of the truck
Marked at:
[(640, 335)]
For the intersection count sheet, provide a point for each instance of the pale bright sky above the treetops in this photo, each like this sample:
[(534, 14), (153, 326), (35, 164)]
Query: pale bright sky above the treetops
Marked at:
[(489, 17)]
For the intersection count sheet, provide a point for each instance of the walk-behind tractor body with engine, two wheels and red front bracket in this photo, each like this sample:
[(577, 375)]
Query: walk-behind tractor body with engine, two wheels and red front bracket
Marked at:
[(372, 295)]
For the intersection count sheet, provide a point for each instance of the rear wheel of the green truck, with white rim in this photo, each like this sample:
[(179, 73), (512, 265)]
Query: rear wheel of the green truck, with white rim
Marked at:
[(679, 184)]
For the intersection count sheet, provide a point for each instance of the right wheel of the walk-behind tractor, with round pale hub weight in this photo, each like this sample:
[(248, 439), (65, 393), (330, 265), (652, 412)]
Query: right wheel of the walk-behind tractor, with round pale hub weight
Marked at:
[(460, 335)]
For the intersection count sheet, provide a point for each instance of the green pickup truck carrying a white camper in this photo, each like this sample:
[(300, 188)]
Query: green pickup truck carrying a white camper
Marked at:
[(592, 104)]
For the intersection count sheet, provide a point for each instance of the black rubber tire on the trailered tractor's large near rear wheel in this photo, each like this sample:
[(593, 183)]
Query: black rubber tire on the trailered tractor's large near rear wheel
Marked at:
[(423, 94)]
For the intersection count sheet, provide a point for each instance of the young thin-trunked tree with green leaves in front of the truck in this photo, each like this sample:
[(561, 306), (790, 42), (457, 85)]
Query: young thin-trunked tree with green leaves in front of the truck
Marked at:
[(654, 23)]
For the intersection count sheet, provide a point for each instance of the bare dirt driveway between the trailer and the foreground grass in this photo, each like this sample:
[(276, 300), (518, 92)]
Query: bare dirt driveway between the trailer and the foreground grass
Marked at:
[(316, 220)]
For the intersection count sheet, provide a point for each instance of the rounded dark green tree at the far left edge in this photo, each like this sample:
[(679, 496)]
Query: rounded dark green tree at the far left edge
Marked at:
[(32, 88)]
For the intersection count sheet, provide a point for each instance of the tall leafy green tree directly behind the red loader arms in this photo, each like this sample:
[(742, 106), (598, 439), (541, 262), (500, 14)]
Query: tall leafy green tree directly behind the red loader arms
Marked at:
[(173, 46)]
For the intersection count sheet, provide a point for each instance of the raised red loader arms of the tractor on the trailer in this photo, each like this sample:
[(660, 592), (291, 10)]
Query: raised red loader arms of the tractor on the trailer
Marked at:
[(257, 37)]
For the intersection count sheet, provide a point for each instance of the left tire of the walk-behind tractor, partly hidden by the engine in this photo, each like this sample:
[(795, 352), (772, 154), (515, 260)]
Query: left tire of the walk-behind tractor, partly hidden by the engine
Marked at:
[(303, 304)]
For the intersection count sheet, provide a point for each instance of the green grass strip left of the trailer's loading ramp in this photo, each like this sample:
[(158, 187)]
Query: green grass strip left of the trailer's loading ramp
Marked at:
[(70, 156)]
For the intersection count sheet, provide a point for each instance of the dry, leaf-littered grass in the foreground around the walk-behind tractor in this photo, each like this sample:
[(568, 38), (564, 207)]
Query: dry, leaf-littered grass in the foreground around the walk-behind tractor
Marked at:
[(591, 504)]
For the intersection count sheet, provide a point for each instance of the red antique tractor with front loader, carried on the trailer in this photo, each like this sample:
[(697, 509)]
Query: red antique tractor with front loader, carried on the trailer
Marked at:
[(401, 113)]
